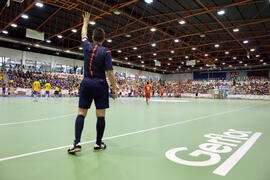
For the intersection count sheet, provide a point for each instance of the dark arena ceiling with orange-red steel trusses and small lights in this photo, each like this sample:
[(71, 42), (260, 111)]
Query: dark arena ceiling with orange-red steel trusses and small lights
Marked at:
[(142, 34)]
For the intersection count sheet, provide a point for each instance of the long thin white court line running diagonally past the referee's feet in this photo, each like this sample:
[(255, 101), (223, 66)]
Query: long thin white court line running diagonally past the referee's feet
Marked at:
[(122, 135)]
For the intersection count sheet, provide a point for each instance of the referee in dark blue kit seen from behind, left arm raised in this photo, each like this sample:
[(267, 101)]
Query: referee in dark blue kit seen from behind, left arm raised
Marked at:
[(97, 63)]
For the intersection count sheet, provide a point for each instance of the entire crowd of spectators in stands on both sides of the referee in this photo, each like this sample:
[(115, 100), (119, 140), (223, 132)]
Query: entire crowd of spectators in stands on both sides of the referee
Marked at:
[(18, 78)]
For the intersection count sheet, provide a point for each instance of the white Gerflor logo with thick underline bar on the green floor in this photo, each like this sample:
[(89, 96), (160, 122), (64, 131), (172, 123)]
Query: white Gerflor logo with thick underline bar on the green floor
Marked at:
[(234, 142)]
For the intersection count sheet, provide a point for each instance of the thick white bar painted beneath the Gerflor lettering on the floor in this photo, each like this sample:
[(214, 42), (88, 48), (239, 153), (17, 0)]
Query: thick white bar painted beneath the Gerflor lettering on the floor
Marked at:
[(227, 165)]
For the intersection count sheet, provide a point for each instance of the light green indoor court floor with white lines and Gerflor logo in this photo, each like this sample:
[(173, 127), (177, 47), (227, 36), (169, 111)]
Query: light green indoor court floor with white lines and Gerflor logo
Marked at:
[(141, 139)]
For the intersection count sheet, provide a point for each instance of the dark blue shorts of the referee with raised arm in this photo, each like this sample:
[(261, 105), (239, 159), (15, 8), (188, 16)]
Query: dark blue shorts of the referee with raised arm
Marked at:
[(94, 89)]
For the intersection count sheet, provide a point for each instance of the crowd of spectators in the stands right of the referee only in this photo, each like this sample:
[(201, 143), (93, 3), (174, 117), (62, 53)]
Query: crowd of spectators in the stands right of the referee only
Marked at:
[(254, 86)]
